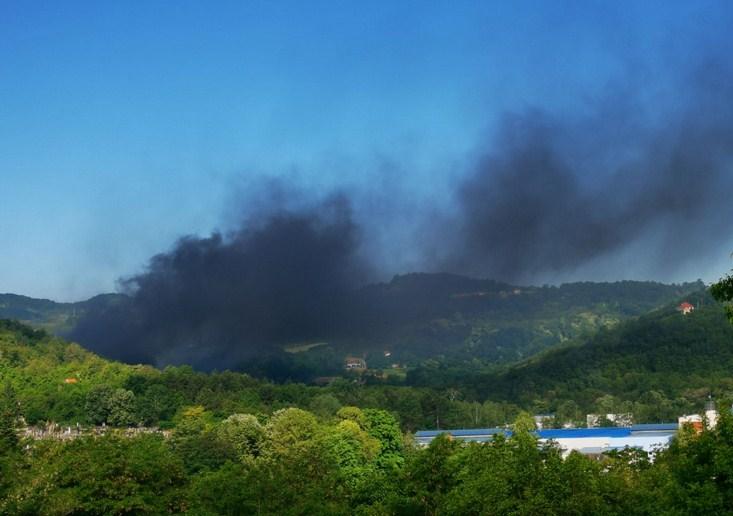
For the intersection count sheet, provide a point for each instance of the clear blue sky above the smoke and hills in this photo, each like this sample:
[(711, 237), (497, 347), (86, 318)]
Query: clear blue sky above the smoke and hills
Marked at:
[(125, 125)]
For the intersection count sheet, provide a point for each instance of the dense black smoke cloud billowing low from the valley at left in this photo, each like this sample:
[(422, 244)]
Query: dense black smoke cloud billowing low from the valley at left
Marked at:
[(283, 277)]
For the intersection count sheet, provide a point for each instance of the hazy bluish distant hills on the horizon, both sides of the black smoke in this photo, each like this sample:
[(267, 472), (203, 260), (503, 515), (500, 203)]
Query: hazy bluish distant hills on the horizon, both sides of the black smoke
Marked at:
[(417, 317)]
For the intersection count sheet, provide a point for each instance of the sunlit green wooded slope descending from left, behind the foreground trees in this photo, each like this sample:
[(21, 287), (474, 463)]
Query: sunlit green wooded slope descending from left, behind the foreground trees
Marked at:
[(61, 382)]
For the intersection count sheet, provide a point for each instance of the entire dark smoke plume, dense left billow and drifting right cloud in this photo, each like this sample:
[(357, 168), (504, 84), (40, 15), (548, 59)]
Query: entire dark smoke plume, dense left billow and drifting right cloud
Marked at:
[(553, 194)]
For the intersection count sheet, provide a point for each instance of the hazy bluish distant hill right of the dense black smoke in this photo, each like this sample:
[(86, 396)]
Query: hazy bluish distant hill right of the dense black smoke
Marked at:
[(442, 314)]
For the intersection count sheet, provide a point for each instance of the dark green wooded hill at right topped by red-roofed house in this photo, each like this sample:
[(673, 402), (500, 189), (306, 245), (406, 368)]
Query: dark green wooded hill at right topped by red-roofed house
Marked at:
[(663, 358)]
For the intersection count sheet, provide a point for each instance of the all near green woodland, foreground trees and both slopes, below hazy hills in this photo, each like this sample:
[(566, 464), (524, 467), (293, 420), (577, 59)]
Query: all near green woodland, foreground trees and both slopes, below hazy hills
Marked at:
[(239, 445)]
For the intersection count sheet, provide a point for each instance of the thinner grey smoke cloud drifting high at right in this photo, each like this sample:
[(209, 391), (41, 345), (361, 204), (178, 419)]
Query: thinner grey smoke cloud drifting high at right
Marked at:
[(559, 192)]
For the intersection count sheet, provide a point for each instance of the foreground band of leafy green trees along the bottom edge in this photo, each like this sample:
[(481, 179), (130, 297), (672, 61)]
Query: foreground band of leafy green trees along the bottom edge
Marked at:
[(357, 462)]
